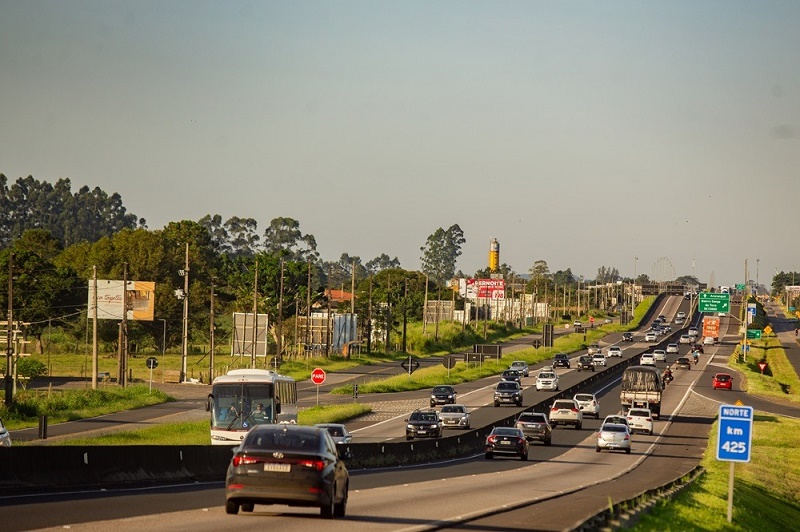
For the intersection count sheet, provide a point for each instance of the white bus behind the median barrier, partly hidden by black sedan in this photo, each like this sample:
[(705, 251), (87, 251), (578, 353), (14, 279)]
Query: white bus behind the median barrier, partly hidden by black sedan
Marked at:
[(246, 397)]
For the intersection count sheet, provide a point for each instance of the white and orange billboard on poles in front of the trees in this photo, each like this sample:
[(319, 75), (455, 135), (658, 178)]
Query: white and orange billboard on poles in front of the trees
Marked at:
[(141, 300)]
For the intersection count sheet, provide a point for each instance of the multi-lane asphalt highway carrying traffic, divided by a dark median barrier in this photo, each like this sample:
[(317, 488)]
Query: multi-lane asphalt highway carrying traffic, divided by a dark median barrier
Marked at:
[(560, 486)]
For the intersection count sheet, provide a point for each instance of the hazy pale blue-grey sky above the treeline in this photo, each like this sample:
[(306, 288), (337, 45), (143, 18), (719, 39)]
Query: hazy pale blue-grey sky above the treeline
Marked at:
[(651, 137)]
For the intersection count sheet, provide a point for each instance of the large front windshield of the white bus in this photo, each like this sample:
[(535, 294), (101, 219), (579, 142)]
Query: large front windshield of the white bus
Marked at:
[(240, 406)]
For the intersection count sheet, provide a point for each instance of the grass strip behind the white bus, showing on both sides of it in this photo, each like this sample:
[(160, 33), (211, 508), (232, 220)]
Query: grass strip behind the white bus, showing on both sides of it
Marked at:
[(197, 432)]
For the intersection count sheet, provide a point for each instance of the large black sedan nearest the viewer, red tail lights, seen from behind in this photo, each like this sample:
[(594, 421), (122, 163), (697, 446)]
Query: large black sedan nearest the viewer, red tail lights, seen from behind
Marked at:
[(287, 464)]
